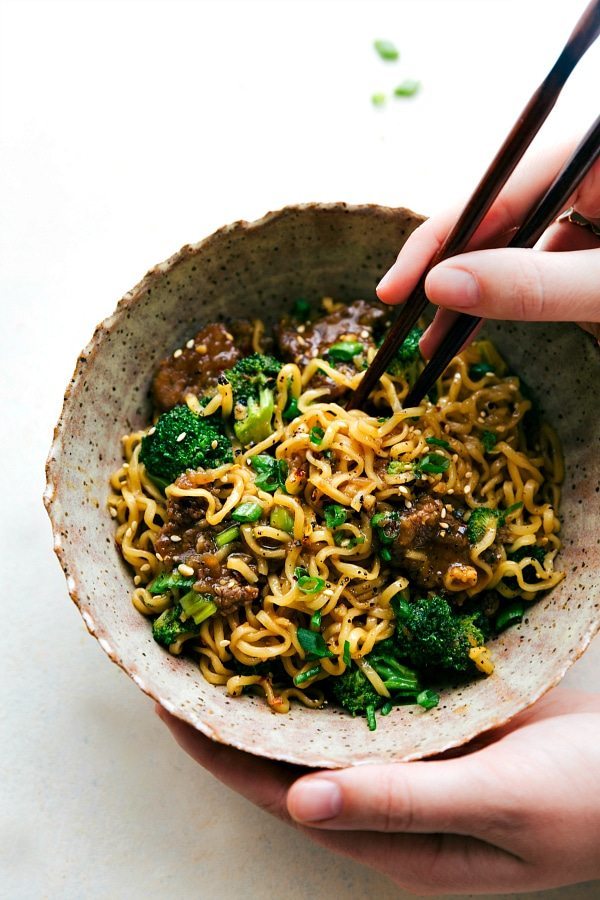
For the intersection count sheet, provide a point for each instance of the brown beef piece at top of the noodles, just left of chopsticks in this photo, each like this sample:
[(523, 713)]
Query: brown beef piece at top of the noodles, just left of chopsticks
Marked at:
[(355, 321)]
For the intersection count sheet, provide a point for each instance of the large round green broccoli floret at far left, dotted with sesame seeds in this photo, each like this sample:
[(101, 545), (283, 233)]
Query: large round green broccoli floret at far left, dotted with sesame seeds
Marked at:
[(182, 440)]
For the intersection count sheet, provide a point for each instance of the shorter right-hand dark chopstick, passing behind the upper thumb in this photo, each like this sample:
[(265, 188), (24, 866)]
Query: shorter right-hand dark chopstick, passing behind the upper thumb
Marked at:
[(536, 221)]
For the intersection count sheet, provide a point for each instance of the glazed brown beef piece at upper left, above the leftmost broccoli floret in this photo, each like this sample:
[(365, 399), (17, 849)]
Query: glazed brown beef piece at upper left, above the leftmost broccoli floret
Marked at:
[(216, 347)]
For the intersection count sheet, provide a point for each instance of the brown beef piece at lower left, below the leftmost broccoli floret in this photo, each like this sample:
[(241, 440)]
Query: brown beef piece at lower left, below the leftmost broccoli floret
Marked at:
[(194, 546)]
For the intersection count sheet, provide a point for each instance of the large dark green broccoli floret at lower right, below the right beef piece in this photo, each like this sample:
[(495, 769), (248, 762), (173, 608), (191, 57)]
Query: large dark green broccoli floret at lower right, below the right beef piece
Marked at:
[(430, 635)]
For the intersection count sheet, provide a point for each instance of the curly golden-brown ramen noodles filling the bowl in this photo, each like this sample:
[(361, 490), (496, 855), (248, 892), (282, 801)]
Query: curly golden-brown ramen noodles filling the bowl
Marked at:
[(363, 463)]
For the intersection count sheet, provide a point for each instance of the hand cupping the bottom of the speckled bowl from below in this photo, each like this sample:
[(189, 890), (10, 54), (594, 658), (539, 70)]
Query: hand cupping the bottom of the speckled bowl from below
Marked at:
[(520, 811)]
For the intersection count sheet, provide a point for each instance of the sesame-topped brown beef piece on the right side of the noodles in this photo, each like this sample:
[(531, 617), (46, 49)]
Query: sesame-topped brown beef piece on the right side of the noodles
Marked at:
[(429, 559)]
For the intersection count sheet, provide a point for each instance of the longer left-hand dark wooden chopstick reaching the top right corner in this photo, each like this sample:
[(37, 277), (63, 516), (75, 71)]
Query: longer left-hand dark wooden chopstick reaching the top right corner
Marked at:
[(521, 135)]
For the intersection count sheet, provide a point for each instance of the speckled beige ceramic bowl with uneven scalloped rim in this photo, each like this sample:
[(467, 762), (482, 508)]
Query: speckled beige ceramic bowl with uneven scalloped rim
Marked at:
[(255, 269)]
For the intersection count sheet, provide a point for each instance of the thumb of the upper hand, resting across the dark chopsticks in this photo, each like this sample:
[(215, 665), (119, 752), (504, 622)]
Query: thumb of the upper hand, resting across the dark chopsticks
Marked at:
[(521, 284)]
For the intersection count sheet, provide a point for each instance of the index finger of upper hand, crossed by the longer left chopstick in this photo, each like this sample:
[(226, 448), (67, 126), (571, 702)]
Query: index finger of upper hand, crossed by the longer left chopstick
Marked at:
[(524, 188)]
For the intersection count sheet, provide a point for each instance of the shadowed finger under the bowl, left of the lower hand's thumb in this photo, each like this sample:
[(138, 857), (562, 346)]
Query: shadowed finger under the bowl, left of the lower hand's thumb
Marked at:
[(262, 782)]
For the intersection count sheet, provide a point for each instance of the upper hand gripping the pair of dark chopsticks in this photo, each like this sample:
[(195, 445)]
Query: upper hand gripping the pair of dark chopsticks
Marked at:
[(557, 282)]
